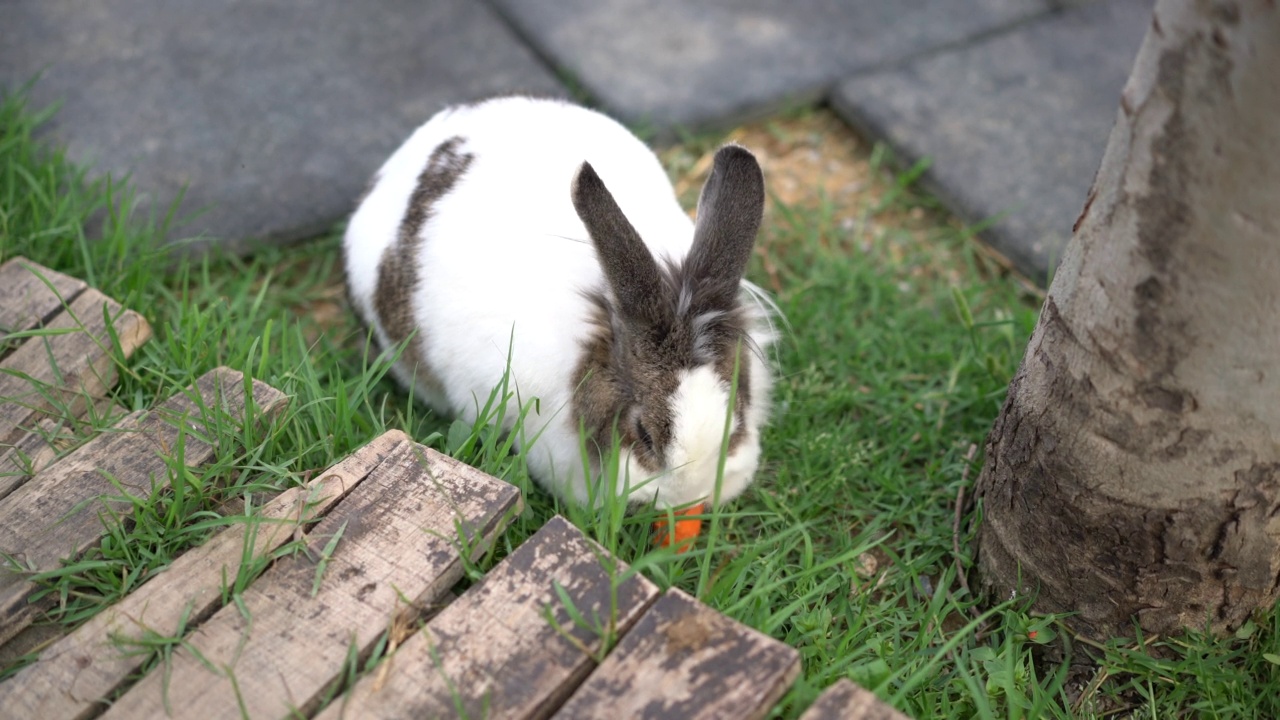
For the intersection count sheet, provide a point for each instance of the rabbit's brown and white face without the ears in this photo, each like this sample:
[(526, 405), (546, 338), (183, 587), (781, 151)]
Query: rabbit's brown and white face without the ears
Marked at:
[(679, 397)]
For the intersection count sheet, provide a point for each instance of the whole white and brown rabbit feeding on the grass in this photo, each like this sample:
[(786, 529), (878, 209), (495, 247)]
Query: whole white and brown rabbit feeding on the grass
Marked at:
[(543, 239)]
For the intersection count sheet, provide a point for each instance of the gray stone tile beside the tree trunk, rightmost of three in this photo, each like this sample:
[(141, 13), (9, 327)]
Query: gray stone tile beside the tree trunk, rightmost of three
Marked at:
[(1016, 126)]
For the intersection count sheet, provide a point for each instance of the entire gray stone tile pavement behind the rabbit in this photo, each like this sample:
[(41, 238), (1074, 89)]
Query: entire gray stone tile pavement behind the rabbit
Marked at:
[(275, 113)]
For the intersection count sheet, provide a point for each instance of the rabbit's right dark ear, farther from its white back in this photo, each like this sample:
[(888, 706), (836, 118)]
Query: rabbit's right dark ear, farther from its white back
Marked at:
[(729, 216)]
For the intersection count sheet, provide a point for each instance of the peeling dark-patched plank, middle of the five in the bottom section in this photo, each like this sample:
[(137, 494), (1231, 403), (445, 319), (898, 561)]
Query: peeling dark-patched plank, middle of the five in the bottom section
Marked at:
[(493, 653)]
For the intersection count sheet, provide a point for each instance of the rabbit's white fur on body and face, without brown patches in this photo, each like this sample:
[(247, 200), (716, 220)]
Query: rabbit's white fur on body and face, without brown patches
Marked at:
[(505, 261)]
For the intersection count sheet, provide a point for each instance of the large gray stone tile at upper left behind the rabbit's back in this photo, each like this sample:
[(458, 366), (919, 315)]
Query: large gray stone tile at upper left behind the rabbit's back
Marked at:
[(275, 112)]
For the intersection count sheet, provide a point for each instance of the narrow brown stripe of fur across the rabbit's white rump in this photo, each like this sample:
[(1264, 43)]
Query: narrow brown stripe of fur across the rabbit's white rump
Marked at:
[(399, 271)]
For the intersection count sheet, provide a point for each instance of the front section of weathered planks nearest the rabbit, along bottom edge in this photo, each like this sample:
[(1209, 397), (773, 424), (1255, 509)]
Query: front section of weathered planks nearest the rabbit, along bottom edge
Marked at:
[(559, 628)]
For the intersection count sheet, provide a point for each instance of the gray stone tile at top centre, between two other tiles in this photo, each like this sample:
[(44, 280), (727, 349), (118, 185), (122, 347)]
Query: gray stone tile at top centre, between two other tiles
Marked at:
[(693, 63)]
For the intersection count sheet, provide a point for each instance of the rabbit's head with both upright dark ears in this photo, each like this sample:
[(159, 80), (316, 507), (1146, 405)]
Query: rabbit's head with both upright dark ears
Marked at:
[(670, 364)]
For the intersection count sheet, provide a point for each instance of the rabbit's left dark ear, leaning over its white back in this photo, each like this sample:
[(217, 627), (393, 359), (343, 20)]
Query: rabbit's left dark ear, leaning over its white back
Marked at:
[(628, 265)]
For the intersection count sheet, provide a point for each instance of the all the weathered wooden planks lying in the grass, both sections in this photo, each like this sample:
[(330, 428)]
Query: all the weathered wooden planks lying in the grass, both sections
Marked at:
[(358, 564)]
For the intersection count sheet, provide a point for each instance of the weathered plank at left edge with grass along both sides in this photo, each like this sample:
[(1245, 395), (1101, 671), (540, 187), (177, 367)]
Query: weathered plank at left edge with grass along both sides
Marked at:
[(57, 516)]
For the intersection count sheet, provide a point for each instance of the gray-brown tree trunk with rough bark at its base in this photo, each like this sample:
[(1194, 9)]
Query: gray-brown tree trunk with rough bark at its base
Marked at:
[(1133, 475)]
